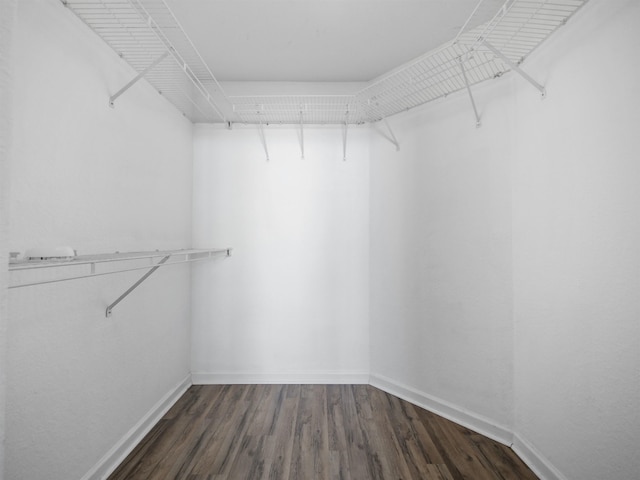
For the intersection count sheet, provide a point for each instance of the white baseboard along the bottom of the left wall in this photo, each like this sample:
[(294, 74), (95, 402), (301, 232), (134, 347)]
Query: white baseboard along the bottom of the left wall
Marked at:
[(110, 461)]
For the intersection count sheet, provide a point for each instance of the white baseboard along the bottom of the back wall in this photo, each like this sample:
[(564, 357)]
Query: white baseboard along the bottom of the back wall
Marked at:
[(318, 378)]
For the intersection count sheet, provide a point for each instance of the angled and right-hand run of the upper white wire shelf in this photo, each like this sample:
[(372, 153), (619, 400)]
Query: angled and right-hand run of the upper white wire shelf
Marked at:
[(518, 28)]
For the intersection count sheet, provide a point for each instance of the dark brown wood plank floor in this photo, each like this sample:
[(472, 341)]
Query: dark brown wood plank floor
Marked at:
[(298, 432)]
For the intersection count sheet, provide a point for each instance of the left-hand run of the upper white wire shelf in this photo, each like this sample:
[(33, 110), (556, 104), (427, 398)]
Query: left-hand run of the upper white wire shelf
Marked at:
[(141, 31)]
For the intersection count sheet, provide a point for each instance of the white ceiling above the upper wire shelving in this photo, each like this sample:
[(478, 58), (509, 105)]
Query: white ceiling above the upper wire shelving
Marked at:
[(320, 40)]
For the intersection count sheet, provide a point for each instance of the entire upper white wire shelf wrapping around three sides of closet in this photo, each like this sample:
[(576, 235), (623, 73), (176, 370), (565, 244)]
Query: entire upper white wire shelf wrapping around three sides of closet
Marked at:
[(149, 37)]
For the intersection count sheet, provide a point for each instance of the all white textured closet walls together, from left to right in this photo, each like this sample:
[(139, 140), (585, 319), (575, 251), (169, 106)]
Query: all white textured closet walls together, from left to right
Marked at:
[(492, 271)]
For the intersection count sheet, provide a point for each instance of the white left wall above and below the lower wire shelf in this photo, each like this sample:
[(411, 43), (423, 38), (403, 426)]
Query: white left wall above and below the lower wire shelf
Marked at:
[(100, 180)]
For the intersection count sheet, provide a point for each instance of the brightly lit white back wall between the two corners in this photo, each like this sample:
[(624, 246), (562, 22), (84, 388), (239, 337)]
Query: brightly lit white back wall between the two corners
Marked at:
[(291, 304)]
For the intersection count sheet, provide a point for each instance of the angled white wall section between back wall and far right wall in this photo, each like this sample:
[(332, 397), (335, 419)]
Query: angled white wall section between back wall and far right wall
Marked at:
[(441, 259)]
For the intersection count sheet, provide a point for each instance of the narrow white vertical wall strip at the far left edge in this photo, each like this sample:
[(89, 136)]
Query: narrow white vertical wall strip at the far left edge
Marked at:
[(7, 12)]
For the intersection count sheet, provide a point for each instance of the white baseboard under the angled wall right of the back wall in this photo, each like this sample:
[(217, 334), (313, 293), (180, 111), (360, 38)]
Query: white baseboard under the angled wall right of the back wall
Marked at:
[(455, 413)]
